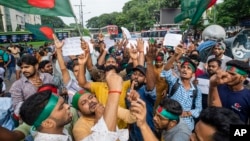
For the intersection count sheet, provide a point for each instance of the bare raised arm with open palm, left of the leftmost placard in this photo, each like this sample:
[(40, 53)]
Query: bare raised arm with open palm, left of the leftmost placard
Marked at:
[(64, 70)]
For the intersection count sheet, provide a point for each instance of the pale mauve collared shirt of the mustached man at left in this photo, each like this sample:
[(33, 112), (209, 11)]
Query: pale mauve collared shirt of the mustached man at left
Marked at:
[(22, 88)]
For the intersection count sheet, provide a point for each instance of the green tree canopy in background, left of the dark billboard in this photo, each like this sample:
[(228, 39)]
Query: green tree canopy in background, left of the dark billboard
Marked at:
[(136, 14)]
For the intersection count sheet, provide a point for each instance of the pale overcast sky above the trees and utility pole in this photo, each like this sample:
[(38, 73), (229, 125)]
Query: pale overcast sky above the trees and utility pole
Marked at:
[(94, 8)]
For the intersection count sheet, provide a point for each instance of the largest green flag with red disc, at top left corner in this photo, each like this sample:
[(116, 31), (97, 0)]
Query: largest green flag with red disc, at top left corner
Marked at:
[(41, 7)]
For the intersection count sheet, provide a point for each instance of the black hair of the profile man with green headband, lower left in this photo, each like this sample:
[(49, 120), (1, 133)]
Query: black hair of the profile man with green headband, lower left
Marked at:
[(33, 106)]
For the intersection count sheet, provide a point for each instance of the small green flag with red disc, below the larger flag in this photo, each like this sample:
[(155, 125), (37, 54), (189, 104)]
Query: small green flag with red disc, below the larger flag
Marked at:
[(41, 32)]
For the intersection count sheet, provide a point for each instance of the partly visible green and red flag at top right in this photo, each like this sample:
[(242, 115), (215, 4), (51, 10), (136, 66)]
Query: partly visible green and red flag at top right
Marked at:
[(202, 6)]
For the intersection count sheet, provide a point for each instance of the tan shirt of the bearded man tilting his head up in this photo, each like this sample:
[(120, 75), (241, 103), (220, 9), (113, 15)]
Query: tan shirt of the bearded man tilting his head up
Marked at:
[(83, 126)]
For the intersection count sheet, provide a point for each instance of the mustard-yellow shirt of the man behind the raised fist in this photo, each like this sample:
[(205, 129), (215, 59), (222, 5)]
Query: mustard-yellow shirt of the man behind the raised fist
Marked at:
[(100, 89)]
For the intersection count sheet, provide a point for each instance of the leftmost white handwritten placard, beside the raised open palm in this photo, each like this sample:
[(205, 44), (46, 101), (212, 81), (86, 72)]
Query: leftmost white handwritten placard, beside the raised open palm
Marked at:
[(72, 46)]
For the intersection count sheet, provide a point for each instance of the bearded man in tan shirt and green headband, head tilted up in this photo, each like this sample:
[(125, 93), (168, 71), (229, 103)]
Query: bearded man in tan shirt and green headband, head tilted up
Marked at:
[(91, 111)]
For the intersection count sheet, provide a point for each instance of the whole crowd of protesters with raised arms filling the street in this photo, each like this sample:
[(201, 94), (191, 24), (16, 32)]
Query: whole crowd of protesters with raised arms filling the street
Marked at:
[(125, 92)]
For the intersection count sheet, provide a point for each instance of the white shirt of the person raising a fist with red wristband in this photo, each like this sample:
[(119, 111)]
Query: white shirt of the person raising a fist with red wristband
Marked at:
[(100, 132)]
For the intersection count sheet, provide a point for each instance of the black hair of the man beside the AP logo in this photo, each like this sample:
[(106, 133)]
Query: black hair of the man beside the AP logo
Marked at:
[(220, 118)]
